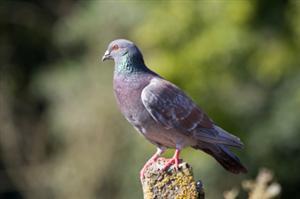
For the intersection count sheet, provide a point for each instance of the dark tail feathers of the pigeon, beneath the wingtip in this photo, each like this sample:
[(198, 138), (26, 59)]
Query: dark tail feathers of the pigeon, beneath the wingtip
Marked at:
[(225, 157)]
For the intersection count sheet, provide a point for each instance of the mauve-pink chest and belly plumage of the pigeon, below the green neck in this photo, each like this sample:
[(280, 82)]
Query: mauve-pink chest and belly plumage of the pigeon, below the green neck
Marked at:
[(128, 90)]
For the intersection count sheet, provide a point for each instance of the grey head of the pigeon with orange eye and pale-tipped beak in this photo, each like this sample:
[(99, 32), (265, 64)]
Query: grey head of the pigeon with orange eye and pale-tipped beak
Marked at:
[(122, 50)]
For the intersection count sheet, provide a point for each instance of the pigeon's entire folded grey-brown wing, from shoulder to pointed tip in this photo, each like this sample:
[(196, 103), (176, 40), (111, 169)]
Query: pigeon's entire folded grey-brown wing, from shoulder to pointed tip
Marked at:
[(172, 108)]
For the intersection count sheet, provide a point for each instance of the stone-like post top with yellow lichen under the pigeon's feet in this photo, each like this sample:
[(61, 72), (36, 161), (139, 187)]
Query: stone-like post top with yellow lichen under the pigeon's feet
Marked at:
[(171, 183)]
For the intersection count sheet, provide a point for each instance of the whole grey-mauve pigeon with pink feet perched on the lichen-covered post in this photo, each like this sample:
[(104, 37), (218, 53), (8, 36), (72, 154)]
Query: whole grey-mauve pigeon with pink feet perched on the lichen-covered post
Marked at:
[(163, 113)]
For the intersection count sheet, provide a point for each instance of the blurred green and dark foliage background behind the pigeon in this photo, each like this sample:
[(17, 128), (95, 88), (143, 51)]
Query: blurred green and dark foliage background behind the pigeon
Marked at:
[(61, 134)]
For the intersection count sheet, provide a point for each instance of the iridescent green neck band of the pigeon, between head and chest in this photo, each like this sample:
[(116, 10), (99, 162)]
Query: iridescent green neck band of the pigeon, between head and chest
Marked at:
[(130, 64)]
